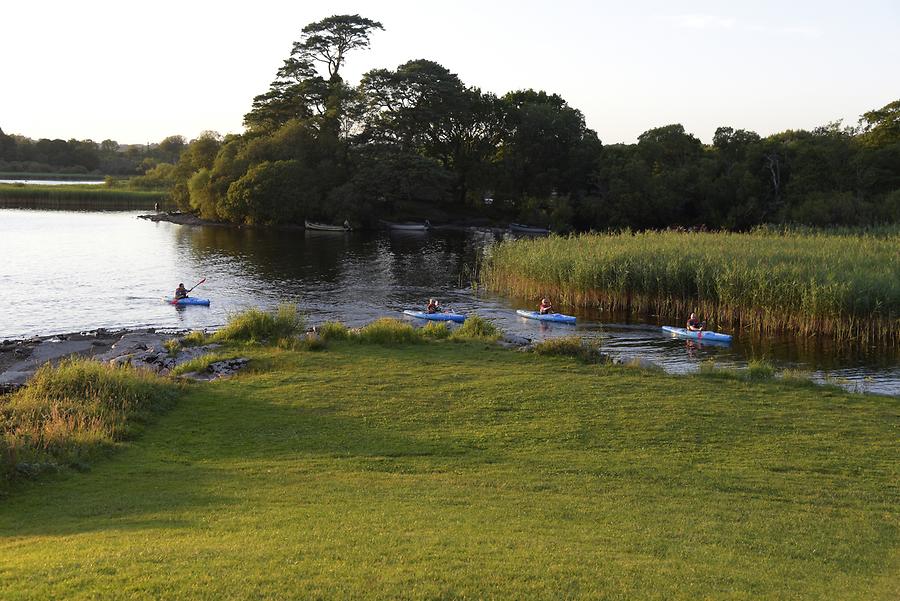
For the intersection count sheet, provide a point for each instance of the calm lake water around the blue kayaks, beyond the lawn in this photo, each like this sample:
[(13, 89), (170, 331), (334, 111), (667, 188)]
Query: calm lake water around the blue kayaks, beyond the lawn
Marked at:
[(63, 271)]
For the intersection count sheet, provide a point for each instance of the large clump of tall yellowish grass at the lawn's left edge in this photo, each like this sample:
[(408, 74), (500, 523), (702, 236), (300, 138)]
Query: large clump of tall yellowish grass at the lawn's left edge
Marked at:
[(69, 412)]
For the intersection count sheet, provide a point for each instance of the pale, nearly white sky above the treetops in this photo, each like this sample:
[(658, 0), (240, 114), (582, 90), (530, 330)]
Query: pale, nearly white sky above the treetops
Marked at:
[(138, 72)]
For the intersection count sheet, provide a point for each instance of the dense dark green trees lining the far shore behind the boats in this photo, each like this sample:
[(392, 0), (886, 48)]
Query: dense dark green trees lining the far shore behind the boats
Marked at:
[(416, 141)]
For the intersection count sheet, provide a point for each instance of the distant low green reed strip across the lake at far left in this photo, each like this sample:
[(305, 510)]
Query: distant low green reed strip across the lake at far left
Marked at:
[(77, 196)]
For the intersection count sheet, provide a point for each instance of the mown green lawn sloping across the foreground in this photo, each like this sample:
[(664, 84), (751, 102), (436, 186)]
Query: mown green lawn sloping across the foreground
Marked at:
[(464, 471)]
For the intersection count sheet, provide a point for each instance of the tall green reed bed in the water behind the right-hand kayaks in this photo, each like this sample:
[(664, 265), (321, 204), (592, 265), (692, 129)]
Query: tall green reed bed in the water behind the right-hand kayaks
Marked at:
[(838, 284)]
